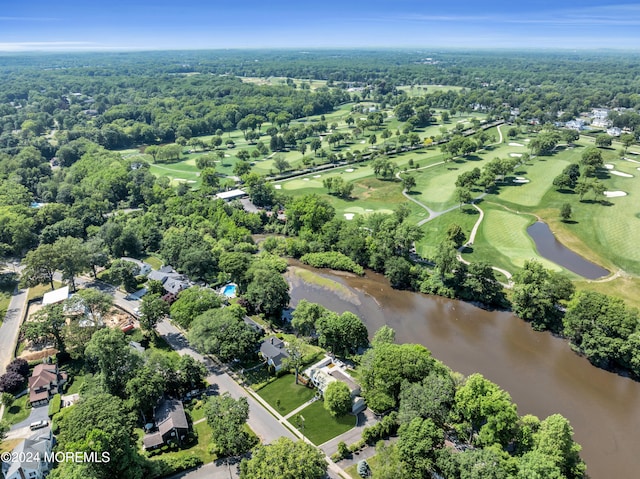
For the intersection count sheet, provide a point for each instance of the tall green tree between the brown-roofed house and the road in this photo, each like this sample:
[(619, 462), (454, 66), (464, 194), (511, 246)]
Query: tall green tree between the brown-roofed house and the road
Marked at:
[(226, 417)]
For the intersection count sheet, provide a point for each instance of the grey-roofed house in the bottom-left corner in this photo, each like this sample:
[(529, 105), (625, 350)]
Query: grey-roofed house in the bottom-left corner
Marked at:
[(31, 457)]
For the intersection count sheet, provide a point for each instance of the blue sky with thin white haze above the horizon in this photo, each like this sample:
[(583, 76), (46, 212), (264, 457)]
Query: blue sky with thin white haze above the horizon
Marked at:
[(88, 25)]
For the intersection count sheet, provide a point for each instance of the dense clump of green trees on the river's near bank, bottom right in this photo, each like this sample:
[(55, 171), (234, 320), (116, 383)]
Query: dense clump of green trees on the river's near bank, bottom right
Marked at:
[(451, 425)]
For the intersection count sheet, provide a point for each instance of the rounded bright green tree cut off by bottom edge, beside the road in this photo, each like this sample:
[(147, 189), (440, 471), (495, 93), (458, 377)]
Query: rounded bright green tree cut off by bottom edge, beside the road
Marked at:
[(286, 459)]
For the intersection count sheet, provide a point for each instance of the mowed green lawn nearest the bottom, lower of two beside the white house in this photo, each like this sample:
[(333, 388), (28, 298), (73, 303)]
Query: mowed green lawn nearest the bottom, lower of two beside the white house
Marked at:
[(319, 425)]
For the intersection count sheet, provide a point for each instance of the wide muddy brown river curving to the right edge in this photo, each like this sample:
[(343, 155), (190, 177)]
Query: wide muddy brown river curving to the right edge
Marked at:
[(539, 370)]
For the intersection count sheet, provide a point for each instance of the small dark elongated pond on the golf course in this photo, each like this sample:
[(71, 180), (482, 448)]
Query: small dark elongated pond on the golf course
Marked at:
[(549, 247)]
